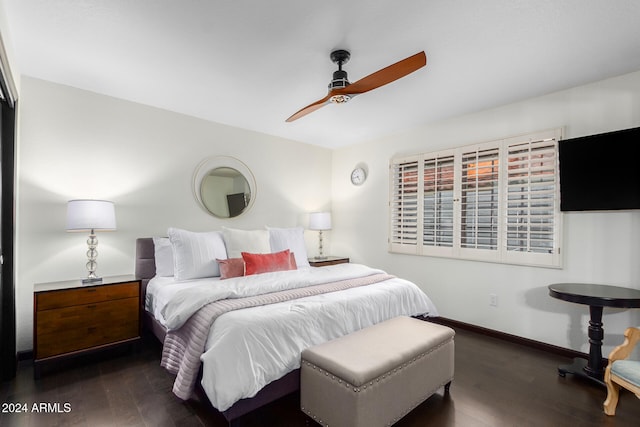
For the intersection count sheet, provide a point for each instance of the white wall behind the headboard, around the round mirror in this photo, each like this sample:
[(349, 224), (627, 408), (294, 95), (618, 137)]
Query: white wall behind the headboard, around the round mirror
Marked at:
[(78, 144)]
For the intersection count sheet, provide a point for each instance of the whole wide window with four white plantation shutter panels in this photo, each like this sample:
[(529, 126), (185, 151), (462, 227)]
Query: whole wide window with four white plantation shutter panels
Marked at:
[(496, 201)]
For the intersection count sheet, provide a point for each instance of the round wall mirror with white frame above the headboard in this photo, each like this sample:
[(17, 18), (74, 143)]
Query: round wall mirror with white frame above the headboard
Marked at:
[(224, 186)]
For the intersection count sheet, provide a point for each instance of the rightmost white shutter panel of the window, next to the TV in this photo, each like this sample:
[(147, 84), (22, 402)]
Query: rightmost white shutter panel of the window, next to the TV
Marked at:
[(532, 218)]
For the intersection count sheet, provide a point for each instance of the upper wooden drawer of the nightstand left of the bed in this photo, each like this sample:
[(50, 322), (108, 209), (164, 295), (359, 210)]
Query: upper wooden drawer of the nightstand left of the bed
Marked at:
[(71, 297)]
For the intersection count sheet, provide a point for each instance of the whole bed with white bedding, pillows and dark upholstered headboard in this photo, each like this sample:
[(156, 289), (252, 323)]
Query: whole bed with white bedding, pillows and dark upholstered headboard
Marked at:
[(250, 351)]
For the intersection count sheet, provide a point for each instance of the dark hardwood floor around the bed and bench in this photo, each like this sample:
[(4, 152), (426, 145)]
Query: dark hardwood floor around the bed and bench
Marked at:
[(497, 383)]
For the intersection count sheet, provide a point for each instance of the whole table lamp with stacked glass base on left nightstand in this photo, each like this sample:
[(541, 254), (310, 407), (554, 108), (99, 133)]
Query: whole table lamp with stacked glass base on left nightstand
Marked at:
[(91, 216)]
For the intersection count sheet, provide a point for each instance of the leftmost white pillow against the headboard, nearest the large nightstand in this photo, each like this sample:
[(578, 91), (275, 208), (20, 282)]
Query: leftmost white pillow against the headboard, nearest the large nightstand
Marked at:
[(194, 254)]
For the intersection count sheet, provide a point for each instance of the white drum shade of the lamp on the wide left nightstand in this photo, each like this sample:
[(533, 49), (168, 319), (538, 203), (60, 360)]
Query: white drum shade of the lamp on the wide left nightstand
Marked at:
[(86, 215)]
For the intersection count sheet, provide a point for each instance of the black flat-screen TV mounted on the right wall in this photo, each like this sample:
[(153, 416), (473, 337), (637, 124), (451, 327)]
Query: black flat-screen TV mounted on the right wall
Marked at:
[(600, 172)]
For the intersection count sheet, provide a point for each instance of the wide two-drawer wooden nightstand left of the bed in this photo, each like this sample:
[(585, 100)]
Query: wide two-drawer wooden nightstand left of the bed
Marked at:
[(71, 318)]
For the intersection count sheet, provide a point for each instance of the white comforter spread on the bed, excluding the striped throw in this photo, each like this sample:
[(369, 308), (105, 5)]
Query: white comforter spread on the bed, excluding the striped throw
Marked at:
[(247, 349)]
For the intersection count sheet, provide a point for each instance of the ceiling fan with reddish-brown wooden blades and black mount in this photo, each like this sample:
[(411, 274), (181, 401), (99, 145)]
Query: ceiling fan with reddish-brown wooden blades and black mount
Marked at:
[(341, 91)]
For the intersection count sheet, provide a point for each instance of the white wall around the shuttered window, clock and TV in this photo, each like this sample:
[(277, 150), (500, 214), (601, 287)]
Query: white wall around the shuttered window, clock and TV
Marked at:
[(598, 247)]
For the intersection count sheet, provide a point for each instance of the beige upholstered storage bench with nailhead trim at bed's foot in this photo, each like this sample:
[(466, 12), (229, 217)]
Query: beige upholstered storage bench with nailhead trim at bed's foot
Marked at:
[(375, 376)]
